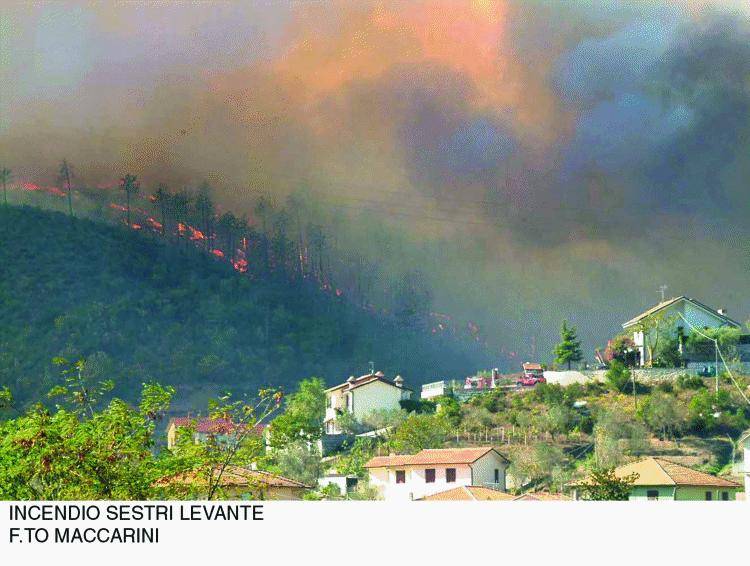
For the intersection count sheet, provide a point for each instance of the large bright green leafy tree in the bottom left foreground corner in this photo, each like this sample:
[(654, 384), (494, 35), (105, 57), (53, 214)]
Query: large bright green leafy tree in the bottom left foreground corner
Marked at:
[(78, 451)]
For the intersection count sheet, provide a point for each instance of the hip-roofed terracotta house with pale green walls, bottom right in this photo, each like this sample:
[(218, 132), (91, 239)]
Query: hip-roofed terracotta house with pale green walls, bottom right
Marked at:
[(659, 479)]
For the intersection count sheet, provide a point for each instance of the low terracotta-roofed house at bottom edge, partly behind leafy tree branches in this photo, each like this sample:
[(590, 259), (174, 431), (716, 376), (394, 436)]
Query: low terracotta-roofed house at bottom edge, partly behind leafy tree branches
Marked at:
[(235, 482)]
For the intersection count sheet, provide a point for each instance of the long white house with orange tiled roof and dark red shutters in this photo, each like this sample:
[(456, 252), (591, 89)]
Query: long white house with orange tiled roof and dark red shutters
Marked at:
[(409, 477)]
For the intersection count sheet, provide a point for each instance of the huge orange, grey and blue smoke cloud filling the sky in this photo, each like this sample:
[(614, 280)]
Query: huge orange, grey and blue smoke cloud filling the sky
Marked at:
[(535, 160)]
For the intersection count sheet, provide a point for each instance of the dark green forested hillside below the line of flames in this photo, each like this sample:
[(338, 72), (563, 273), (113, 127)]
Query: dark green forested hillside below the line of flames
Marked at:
[(140, 308)]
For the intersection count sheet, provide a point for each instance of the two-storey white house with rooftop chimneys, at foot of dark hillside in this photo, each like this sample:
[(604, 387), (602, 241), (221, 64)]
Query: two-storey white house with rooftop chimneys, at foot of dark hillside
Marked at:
[(362, 395)]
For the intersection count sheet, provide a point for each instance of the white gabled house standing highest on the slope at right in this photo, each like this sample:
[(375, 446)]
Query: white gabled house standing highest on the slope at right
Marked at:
[(681, 315)]
